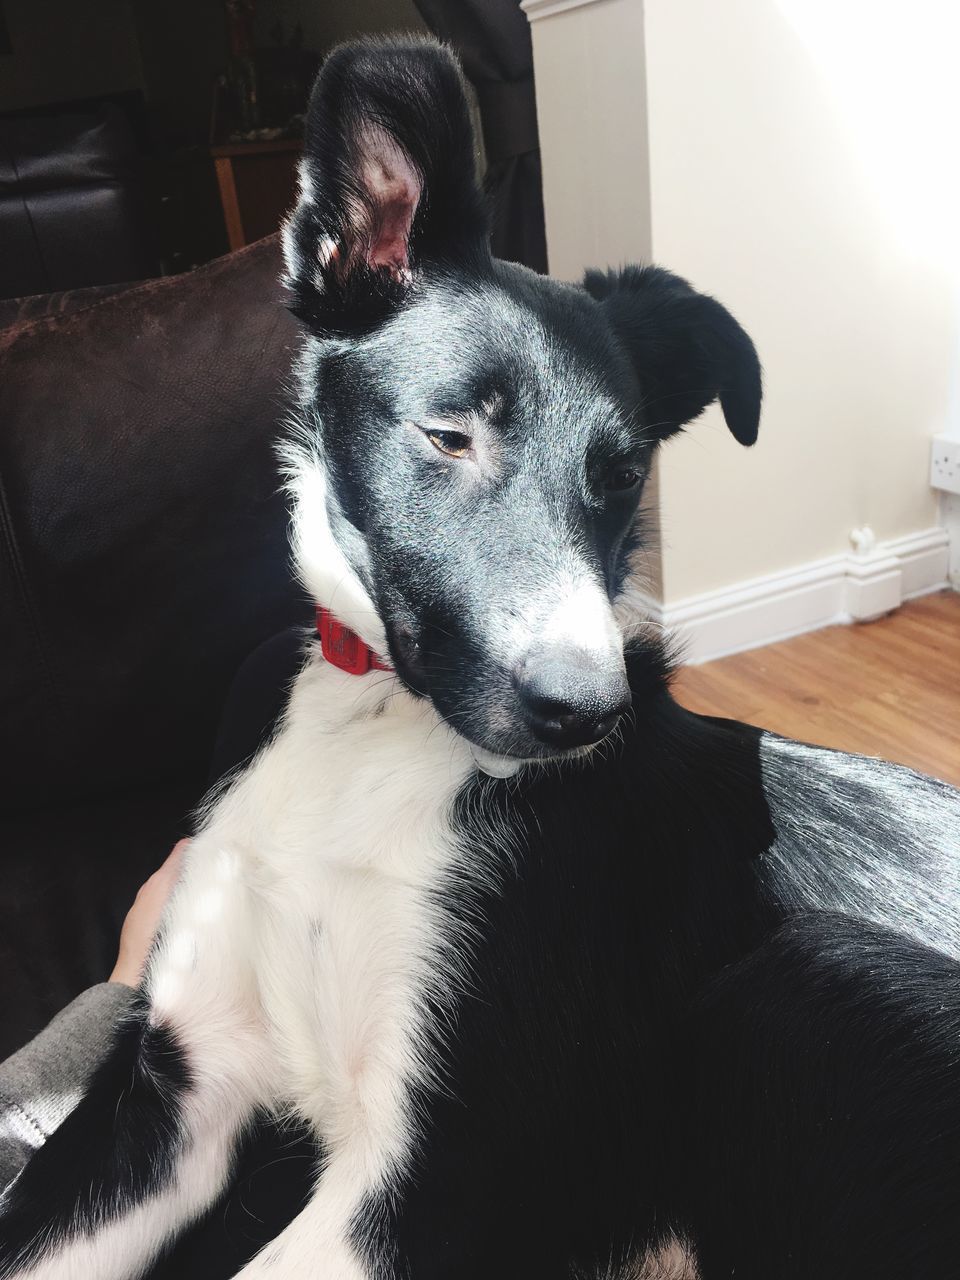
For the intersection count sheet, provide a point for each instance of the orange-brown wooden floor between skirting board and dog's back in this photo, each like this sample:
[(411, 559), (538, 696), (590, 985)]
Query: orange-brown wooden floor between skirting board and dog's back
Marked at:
[(889, 688)]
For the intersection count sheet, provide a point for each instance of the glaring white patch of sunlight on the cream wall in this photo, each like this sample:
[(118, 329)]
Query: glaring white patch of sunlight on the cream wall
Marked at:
[(893, 70)]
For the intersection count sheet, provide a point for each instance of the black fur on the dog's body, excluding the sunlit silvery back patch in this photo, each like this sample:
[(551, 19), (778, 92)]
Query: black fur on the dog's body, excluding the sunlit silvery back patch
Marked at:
[(652, 1046)]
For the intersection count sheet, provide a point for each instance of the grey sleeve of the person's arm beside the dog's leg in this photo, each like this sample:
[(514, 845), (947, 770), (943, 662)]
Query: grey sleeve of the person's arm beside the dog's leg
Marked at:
[(44, 1081)]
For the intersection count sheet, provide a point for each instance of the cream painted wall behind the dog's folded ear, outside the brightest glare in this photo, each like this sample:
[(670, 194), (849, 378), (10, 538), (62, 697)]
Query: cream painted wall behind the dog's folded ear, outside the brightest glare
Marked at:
[(761, 193)]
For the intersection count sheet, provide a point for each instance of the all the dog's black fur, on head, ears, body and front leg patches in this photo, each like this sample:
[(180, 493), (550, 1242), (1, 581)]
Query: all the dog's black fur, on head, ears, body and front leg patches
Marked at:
[(712, 990)]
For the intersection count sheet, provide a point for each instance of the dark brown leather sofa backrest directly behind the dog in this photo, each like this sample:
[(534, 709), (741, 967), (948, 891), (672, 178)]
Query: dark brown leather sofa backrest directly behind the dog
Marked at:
[(143, 557)]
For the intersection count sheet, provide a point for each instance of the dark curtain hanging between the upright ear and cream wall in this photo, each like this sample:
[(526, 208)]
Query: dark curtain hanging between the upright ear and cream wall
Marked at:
[(492, 39)]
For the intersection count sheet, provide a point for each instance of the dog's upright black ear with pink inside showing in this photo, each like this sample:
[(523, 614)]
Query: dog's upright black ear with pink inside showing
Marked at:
[(387, 182)]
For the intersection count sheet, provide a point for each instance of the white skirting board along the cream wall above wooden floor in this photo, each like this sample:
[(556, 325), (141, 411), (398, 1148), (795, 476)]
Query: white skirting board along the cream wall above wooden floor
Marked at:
[(839, 589)]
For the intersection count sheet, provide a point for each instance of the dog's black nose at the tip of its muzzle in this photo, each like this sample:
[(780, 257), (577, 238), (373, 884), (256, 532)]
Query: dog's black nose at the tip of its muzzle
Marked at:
[(569, 700)]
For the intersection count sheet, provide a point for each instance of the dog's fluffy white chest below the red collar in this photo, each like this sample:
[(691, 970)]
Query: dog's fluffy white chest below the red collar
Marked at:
[(346, 826)]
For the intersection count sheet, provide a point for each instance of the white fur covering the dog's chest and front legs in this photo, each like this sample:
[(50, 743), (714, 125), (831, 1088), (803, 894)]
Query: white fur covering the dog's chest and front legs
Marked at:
[(296, 962)]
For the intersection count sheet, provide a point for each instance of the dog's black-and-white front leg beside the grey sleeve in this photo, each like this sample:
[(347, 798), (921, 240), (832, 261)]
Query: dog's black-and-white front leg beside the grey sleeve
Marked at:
[(149, 1146)]
